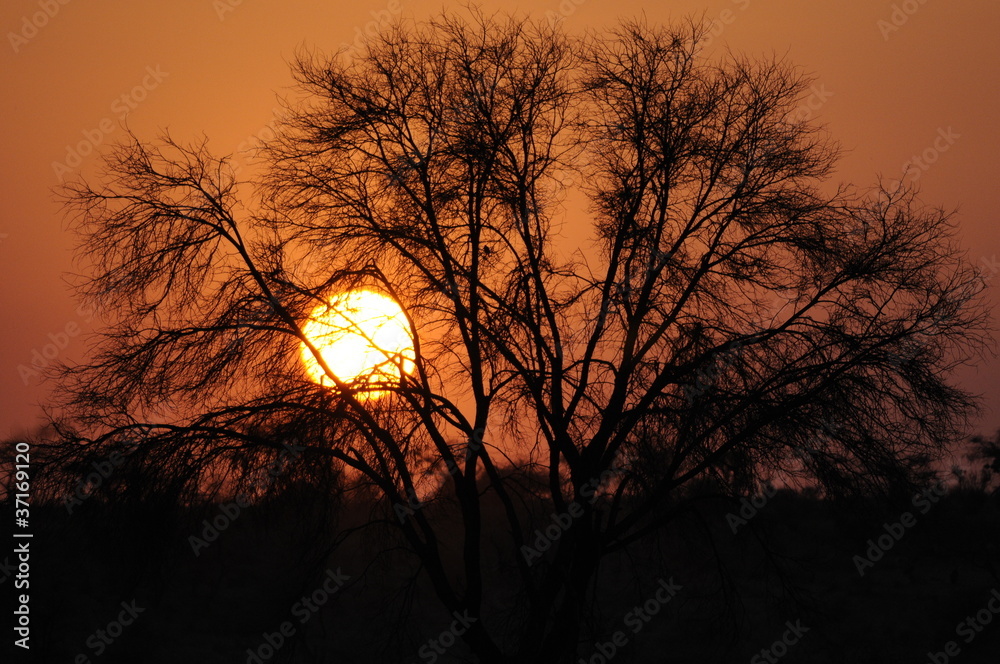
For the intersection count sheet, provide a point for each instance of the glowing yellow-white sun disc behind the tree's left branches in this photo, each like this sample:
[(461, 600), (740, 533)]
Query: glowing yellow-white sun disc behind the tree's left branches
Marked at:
[(364, 338)]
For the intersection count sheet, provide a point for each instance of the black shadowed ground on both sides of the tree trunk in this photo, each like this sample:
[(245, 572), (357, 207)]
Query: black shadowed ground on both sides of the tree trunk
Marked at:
[(791, 563)]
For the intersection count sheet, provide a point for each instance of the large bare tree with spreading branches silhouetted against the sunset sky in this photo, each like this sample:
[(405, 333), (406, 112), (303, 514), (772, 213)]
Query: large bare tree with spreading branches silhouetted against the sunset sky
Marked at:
[(733, 314)]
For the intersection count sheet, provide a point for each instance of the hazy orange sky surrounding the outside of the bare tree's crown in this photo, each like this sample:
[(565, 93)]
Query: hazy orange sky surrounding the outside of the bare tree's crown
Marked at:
[(894, 81)]
